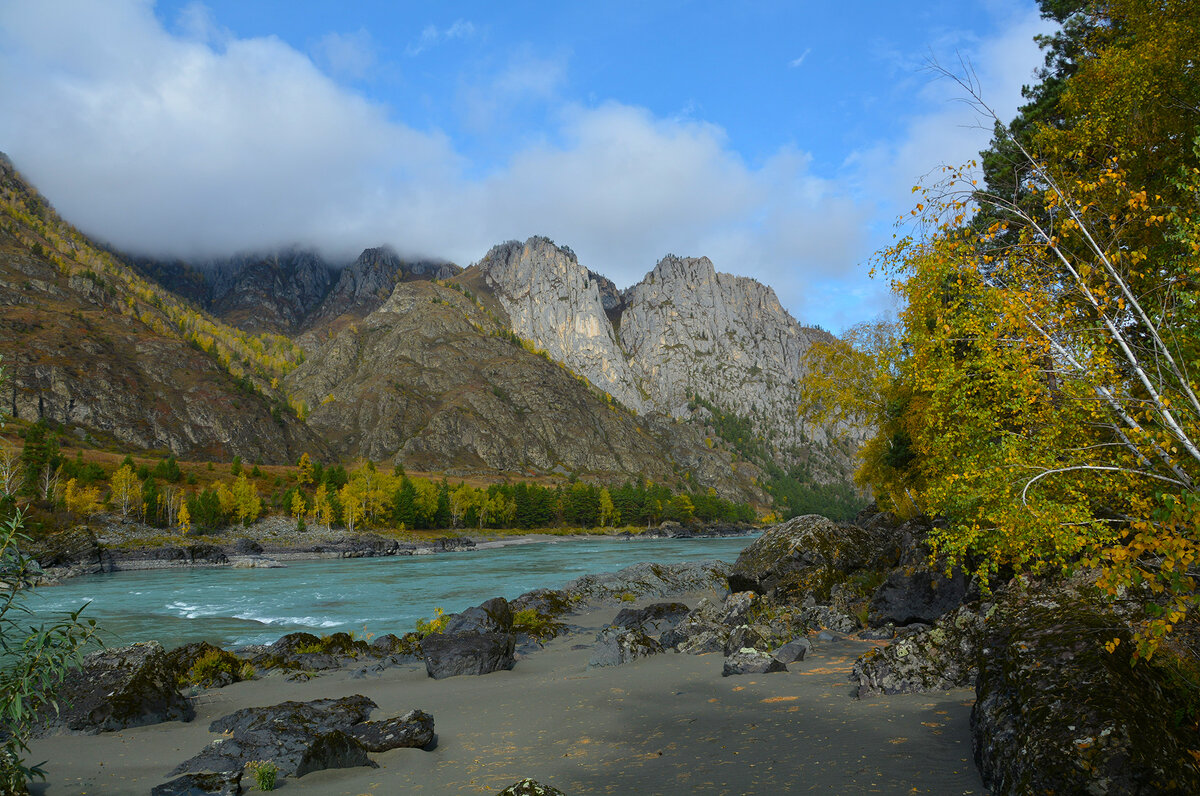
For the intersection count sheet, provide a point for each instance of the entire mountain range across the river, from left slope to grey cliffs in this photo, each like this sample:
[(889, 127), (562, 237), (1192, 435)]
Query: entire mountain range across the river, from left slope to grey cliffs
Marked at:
[(526, 363)]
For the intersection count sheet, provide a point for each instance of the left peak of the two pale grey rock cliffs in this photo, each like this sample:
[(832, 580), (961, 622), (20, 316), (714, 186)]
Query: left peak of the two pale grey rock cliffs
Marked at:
[(557, 304)]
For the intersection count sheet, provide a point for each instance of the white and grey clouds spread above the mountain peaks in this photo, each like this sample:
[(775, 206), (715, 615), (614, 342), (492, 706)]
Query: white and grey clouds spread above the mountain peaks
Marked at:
[(203, 145)]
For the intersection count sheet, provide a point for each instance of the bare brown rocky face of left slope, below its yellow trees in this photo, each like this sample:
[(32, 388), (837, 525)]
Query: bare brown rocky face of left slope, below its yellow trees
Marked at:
[(74, 355)]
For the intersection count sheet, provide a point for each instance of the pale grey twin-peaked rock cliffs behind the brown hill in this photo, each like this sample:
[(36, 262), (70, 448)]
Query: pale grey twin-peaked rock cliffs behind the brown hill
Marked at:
[(683, 331)]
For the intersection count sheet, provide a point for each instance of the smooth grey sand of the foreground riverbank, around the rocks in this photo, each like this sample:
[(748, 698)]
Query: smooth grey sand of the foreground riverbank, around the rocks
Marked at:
[(668, 725)]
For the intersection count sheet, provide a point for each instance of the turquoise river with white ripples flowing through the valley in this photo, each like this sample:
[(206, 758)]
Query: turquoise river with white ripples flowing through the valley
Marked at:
[(367, 596)]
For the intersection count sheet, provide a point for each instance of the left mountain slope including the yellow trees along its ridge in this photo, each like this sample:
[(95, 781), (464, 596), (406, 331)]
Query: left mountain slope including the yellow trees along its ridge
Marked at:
[(87, 343)]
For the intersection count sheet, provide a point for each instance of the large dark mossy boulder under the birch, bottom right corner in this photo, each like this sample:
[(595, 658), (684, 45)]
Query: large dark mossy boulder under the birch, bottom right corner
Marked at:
[(1057, 713)]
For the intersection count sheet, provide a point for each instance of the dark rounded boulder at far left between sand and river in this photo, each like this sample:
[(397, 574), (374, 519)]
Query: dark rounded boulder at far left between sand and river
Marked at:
[(116, 690)]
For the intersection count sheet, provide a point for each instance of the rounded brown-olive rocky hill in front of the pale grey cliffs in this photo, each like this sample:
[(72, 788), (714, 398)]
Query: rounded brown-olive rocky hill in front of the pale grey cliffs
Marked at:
[(431, 381)]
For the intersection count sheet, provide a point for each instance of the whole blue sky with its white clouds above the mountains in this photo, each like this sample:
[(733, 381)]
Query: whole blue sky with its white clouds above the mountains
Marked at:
[(779, 139)]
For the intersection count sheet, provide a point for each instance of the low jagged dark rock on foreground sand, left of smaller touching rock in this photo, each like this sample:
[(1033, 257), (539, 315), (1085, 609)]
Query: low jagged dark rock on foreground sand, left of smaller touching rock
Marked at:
[(299, 738)]
